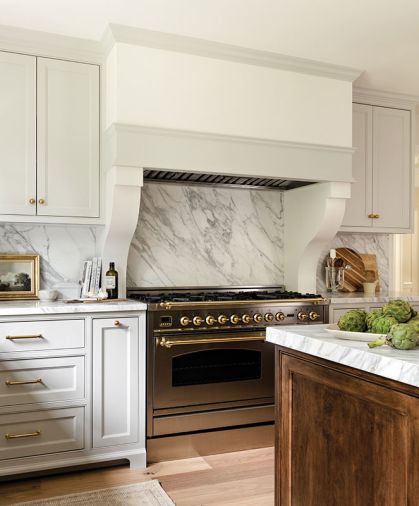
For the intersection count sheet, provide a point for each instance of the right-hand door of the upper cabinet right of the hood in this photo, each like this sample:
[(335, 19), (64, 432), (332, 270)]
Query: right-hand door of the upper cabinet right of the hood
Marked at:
[(391, 167)]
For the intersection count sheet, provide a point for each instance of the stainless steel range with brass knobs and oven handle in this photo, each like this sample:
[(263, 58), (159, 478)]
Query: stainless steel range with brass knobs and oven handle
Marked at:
[(210, 371)]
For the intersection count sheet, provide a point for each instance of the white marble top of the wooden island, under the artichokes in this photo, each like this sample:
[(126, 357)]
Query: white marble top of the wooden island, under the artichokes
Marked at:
[(384, 361)]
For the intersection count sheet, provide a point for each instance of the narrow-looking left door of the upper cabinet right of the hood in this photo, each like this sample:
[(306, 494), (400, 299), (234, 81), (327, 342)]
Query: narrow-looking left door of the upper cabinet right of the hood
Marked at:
[(359, 206)]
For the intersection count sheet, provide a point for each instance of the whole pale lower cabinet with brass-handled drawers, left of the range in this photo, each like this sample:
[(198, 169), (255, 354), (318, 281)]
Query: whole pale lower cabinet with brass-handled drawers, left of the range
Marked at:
[(75, 395)]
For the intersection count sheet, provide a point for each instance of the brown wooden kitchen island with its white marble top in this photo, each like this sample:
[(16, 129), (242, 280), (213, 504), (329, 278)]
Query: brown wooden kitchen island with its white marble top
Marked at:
[(347, 431)]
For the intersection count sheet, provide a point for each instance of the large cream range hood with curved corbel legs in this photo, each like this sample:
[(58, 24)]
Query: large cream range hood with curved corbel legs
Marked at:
[(306, 111)]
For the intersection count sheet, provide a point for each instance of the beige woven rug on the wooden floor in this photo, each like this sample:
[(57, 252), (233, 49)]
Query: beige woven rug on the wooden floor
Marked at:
[(148, 493)]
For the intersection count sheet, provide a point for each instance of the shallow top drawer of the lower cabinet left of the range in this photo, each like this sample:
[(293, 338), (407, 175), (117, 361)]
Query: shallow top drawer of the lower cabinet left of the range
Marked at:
[(41, 335)]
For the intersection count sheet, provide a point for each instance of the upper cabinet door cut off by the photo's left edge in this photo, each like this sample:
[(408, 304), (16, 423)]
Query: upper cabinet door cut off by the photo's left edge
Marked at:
[(17, 134)]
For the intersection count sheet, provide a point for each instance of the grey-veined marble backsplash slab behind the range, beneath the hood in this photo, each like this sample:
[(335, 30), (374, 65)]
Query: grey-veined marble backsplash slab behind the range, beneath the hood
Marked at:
[(202, 236)]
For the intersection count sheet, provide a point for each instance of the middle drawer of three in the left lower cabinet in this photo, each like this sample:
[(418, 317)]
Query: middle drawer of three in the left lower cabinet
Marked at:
[(41, 380)]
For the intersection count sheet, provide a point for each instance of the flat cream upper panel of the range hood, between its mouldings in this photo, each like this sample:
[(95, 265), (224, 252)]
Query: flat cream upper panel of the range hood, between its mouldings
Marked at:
[(168, 89)]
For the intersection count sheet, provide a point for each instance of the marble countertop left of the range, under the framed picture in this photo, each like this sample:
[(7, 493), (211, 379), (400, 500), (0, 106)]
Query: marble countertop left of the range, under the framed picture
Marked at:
[(35, 307)]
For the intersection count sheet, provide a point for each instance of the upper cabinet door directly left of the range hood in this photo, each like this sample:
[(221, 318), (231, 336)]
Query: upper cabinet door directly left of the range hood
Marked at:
[(68, 138)]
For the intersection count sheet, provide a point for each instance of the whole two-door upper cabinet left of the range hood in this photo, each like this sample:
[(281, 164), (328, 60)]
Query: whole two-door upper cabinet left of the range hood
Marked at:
[(49, 142)]
